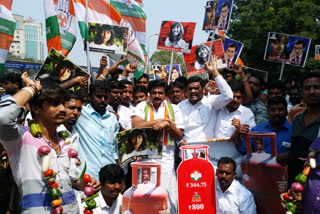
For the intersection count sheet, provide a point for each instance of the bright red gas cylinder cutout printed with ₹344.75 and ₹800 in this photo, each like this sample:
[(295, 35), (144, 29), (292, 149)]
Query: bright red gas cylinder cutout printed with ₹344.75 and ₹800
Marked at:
[(196, 188)]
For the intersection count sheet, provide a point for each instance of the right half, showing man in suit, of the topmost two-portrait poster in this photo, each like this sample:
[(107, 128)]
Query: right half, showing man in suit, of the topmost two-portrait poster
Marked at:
[(223, 14)]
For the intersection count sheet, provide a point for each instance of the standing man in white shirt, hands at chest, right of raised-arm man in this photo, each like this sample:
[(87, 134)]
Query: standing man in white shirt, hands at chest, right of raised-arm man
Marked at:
[(233, 120)]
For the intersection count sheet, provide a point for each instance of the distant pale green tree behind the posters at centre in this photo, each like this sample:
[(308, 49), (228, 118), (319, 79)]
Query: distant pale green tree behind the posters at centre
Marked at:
[(164, 57)]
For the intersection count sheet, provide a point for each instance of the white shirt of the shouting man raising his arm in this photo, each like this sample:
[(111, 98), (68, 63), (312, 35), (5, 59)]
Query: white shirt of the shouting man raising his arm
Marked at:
[(200, 119)]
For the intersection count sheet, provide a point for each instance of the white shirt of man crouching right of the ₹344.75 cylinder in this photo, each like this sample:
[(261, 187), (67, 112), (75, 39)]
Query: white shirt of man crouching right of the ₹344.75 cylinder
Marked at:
[(236, 199)]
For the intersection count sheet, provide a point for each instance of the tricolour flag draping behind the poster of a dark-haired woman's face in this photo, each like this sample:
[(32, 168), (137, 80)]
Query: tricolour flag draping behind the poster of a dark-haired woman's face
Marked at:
[(100, 11)]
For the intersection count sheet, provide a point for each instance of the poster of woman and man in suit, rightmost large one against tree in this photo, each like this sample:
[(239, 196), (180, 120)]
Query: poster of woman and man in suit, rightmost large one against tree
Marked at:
[(289, 49)]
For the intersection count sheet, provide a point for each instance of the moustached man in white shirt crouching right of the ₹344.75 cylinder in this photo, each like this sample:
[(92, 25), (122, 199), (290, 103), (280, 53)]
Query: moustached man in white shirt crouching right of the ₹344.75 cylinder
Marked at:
[(231, 196)]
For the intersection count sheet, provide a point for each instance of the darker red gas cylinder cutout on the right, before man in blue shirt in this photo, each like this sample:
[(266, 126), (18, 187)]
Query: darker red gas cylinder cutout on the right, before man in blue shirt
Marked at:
[(262, 175)]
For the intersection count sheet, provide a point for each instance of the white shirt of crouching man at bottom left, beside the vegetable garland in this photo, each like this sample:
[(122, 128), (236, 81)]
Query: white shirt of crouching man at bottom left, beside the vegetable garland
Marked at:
[(103, 208)]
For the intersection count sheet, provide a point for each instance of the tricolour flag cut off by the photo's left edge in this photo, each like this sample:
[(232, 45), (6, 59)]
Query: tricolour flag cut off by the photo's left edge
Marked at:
[(7, 27)]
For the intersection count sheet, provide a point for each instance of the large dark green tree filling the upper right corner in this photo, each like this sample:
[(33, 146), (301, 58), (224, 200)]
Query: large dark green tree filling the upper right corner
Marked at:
[(253, 19)]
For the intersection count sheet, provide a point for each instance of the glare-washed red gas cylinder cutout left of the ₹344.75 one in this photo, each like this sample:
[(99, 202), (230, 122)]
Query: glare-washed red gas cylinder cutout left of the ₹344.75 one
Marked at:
[(144, 197)]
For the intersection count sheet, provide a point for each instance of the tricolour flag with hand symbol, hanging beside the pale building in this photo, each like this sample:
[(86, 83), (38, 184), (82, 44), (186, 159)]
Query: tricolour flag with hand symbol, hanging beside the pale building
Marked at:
[(61, 25)]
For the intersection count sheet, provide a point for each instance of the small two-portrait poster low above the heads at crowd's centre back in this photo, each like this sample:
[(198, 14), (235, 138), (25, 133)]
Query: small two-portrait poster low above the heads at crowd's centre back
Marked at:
[(162, 71)]
